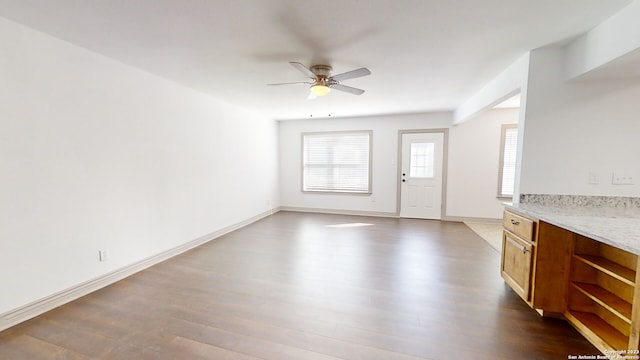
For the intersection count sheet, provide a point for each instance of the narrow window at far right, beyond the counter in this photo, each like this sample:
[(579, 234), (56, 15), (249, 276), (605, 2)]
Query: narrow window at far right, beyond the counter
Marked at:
[(507, 175)]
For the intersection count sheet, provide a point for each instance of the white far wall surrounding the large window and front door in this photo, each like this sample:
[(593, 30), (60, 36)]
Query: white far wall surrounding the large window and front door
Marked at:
[(462, 200)]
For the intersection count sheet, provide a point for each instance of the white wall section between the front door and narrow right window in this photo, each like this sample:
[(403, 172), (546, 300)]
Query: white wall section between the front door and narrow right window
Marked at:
[(474, 160)]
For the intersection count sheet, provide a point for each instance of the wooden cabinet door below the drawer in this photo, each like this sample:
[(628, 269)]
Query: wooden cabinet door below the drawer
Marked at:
[(516, 264)]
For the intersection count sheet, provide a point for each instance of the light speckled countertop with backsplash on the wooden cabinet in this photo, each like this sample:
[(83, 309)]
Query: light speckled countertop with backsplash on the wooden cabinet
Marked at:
[(611, 220)]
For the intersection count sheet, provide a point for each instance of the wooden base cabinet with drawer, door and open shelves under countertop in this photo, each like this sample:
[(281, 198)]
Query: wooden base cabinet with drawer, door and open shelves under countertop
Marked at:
[(593, 285)]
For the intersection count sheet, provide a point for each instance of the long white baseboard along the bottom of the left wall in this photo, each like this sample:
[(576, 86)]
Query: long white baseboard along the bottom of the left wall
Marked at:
[(38, 307)]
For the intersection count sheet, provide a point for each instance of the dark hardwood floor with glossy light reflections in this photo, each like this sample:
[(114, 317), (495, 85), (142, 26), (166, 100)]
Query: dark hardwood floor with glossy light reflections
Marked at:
[(308, 286)]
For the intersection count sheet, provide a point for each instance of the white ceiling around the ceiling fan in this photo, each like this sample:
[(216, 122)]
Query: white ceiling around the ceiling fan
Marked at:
[(424, 55)]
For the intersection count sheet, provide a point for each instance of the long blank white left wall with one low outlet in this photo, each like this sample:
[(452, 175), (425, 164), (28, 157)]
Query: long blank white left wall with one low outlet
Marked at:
[(98, 155)]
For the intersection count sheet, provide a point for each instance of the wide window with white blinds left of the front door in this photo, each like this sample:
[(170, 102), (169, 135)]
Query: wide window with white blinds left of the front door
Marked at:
[(337, 162)]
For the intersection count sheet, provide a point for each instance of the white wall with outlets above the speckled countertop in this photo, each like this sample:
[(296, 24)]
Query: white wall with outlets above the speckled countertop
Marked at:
[(576, 128)]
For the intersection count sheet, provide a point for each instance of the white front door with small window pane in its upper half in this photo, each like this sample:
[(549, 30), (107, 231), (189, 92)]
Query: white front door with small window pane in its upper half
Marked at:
[(421, 175)]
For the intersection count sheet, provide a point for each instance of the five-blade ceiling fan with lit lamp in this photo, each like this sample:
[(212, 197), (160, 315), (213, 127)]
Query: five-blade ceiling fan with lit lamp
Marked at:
[(322, 81)]
